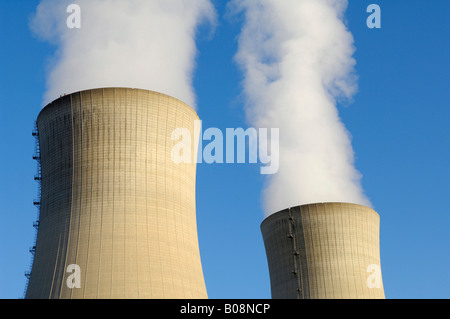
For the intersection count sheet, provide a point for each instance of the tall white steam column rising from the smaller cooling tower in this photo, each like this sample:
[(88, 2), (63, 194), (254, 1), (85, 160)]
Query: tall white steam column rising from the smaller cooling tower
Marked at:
[(296, 57)]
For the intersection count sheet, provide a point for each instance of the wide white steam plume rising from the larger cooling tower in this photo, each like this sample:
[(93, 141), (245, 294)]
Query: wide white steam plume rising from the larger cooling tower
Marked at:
[(124, 43)]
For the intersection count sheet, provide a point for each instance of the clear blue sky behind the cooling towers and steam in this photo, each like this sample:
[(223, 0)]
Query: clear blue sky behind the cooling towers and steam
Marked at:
[(399, 122)]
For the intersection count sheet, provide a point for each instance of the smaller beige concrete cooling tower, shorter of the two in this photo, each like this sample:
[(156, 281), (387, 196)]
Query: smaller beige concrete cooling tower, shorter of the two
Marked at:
[(324, 251)]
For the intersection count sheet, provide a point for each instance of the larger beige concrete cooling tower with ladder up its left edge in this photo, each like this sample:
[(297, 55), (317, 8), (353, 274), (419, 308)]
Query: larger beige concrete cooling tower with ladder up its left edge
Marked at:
[(114, 206)]
